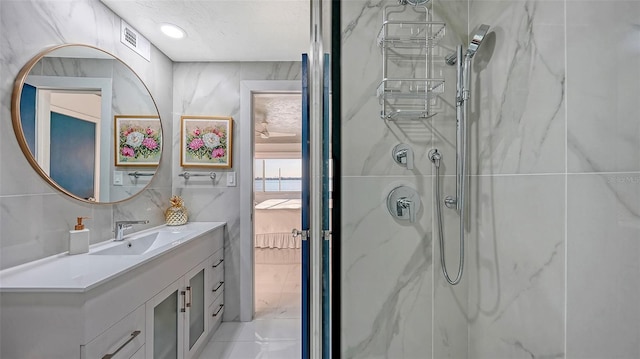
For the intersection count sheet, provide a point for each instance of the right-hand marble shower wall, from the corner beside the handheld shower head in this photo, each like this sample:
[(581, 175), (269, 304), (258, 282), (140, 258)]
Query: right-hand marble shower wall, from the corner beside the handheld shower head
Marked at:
[(554, 254)]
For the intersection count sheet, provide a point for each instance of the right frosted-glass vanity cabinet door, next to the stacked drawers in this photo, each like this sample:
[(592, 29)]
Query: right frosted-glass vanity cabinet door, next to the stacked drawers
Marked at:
[(196, 320)]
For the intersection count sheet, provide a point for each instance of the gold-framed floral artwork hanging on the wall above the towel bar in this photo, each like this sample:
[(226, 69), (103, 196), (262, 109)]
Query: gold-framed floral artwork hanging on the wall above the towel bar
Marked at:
[(206, 141)]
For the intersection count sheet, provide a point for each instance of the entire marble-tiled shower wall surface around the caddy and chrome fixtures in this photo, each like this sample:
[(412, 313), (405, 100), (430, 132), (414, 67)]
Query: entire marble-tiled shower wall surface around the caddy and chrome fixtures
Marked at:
[(552, 234)]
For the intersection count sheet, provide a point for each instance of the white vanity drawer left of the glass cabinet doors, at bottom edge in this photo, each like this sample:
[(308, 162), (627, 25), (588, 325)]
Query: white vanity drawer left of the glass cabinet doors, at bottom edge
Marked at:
[(127, 335)]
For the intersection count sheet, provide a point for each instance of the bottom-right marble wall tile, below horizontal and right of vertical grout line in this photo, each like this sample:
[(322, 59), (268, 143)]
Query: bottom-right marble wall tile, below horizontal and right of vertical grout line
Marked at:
[(603, 264)]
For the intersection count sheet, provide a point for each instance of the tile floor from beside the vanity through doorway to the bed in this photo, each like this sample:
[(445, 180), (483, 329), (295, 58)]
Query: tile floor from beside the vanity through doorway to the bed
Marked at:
[(275, 331)]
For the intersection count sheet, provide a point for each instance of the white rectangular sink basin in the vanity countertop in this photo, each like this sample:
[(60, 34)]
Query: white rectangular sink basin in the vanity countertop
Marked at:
[(143, 244)]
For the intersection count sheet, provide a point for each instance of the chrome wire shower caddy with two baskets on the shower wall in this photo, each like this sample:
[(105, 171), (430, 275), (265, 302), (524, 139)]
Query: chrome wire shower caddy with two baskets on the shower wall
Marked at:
[(408, 89)]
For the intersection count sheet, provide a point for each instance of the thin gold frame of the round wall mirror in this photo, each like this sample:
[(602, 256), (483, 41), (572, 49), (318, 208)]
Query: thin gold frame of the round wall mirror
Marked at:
[(18, 129)]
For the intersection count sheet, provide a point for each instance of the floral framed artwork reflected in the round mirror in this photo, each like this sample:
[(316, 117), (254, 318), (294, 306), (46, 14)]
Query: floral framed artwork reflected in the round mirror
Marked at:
[(138, 140)]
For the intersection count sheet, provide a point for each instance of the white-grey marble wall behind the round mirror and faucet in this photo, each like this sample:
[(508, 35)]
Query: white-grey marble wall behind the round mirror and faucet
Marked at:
[(34, 218)]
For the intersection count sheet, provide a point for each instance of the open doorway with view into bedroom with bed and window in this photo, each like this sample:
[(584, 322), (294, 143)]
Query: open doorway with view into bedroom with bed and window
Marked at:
[(277, 168)]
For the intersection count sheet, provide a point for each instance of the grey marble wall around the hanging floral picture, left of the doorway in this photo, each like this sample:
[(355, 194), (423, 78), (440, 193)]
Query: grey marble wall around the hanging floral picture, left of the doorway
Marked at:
[(213, 89)]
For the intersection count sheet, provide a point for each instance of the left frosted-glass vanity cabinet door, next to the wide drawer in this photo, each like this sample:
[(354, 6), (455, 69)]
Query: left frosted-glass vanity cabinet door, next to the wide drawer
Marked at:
[(165, 323)]
